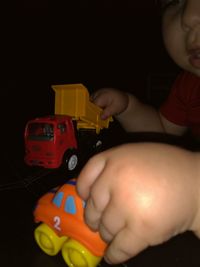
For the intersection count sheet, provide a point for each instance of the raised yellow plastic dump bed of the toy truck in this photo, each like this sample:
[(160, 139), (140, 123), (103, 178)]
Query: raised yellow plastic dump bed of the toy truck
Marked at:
[(73, 100)]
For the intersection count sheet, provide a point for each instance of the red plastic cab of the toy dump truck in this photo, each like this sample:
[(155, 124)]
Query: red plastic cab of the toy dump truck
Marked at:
[(50, 141)]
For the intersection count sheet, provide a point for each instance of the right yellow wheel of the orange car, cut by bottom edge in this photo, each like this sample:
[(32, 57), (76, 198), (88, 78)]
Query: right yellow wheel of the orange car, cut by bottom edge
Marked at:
[(76, 255)]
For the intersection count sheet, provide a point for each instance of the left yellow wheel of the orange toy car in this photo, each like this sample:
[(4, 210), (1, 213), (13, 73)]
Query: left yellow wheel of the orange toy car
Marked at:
[(48, 240)]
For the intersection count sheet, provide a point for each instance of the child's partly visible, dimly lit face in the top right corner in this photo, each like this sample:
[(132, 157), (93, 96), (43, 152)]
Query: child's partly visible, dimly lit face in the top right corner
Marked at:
[(181, 33)]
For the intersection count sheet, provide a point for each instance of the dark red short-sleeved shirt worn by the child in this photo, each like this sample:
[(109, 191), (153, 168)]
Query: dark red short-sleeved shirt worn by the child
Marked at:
[(182, 106)]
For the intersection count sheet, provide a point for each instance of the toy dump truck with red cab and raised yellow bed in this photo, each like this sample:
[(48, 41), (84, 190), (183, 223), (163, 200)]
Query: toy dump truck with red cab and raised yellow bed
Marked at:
[(53, 141)]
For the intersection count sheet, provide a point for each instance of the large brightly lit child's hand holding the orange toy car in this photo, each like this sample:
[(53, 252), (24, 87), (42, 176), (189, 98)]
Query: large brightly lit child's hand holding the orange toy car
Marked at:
[(140, 195)]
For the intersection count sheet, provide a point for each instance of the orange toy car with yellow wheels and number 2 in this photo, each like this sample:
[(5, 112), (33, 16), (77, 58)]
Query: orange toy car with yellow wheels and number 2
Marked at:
[(62, 227)]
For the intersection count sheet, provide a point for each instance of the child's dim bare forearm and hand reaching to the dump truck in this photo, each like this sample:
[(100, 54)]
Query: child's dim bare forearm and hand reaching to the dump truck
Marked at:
[(133, 115)]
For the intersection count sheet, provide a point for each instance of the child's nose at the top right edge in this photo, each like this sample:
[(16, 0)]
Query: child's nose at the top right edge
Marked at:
[(191, 15)]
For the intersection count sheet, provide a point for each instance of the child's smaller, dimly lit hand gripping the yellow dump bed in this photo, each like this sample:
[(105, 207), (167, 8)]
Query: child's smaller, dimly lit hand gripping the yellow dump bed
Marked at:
[(111, 100)]
